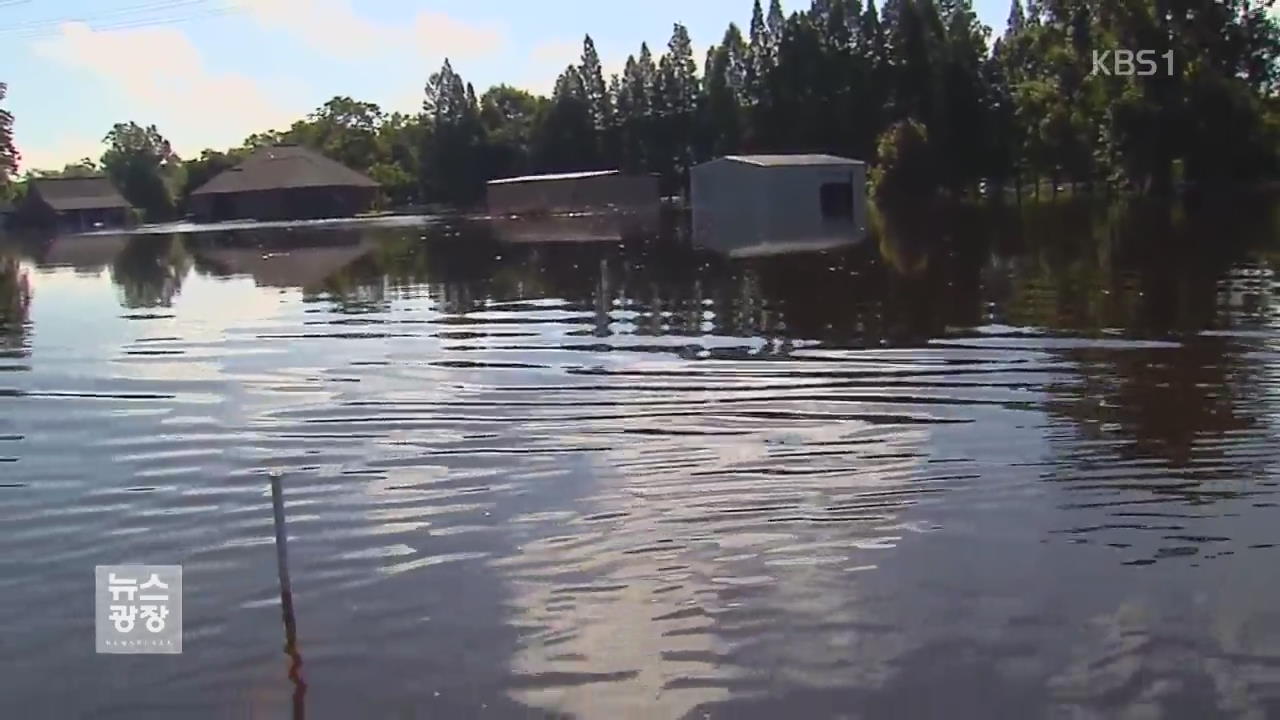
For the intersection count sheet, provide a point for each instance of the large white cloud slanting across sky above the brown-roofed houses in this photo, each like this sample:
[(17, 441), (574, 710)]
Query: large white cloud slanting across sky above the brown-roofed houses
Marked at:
[(191, 106)]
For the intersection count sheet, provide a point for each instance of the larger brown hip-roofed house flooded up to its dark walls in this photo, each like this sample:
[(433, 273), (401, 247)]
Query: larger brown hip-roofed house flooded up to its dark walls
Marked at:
[(285, 183)]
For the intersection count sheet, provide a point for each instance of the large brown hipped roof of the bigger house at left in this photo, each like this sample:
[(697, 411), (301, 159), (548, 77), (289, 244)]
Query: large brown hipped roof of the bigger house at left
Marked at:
[(284, 167)]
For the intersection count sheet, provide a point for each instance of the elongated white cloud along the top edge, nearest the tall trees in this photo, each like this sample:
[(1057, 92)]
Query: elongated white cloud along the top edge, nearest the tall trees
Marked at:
[(333, 28)]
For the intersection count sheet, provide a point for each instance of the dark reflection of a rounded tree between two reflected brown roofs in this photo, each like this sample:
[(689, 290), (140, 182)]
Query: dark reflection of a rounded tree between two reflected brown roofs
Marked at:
[(150, 271)]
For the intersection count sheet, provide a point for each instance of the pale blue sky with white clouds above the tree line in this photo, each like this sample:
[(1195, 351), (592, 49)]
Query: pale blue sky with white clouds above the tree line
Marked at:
[(211, 72)]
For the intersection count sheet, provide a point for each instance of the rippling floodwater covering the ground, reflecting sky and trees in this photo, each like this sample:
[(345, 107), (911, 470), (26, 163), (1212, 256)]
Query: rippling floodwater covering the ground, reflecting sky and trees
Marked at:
[(982, 464)]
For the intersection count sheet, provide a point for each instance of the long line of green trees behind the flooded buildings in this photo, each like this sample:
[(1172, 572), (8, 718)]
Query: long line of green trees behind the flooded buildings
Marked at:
[(920, 88)]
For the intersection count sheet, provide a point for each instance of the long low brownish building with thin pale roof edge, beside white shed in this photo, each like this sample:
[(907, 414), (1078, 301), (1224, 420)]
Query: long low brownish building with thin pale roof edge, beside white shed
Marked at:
[(572, 193)]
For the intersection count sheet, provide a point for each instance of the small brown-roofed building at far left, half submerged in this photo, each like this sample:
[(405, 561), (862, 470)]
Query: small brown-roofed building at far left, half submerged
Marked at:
[(75, 204)]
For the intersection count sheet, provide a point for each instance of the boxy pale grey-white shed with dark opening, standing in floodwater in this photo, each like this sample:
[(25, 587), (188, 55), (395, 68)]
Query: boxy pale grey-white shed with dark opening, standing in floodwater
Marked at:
[(787, 200)]
